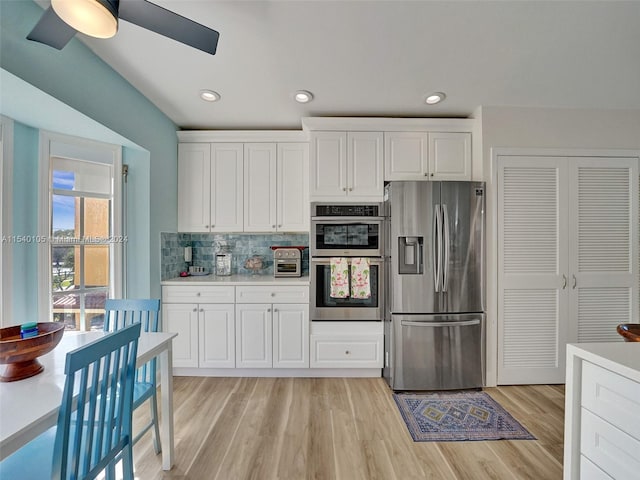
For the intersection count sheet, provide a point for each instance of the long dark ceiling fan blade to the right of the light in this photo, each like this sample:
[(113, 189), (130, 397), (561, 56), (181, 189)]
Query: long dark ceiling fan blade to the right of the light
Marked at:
[(169, 24)]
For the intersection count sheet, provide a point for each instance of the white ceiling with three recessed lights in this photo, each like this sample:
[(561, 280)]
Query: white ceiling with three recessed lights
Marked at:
[(380, 58)]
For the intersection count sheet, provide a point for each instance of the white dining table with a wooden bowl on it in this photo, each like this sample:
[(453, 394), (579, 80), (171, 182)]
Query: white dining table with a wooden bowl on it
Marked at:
[(29, 407)]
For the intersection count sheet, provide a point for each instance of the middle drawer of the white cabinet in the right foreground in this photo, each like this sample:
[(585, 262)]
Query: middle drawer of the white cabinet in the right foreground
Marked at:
[(608, 447)]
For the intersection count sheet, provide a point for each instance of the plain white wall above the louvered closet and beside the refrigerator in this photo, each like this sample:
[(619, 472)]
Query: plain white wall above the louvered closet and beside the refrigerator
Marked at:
[(519, 127)]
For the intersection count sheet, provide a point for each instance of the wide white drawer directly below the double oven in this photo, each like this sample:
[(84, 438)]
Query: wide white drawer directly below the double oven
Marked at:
[(334, 351)]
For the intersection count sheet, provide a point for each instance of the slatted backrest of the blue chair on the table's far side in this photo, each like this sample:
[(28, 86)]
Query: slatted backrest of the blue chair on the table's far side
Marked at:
[(123, 311)]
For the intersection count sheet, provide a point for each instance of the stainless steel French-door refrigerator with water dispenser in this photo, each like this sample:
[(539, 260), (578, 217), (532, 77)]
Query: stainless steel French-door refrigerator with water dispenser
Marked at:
[(434, 254)]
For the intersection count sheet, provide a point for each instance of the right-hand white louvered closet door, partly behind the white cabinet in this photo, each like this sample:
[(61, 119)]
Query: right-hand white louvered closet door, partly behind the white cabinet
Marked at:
[(604, 255)]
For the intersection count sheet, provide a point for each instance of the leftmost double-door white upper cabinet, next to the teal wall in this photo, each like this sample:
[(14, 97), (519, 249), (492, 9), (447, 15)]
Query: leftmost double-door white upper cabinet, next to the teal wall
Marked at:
[(210, 187)]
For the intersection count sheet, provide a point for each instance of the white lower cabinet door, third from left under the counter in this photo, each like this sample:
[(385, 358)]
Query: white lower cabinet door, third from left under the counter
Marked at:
[(253, 336)]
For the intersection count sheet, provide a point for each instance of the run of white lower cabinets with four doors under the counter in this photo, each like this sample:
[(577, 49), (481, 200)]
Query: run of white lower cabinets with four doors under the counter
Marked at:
[(238, 326)]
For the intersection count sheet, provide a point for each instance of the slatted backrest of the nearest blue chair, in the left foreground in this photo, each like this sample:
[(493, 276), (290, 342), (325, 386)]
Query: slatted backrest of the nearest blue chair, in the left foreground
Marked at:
[(90, 437)]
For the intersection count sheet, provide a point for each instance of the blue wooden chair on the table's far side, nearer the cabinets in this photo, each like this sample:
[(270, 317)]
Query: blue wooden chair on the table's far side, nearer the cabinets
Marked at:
[(122, 312)]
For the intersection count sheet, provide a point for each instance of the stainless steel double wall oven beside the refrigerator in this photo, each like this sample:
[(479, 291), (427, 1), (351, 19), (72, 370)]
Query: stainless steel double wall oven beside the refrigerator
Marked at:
[(348, 232)]
